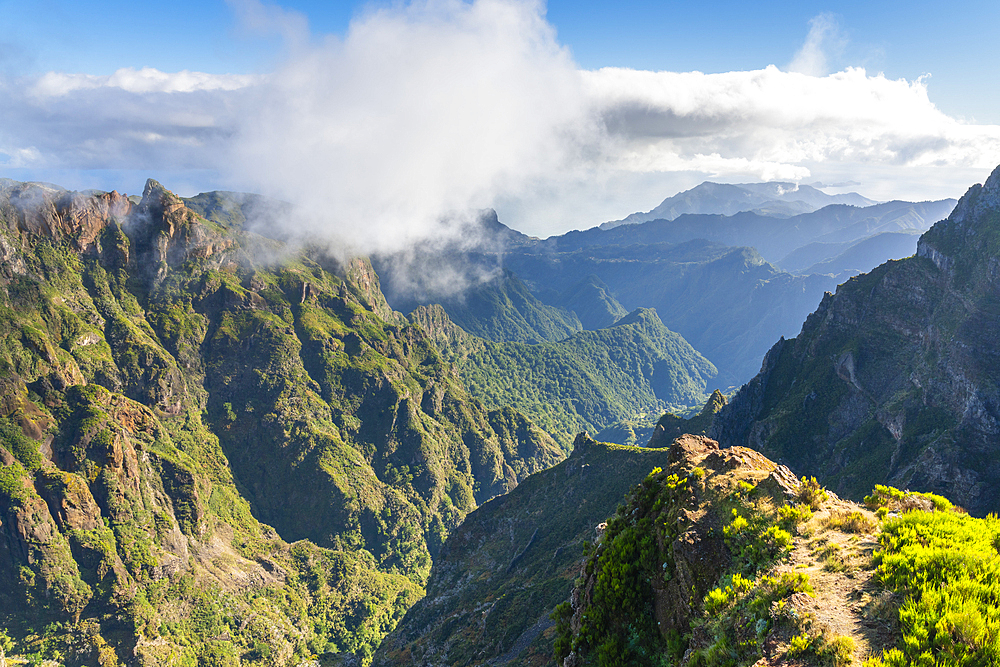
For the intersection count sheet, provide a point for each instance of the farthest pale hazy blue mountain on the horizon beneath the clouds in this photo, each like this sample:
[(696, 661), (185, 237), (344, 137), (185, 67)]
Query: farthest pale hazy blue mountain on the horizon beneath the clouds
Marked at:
[(773, 198)]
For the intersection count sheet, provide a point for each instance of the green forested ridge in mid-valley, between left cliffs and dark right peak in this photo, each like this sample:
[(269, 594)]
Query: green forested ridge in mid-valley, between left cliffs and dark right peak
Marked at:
[(633, 369)]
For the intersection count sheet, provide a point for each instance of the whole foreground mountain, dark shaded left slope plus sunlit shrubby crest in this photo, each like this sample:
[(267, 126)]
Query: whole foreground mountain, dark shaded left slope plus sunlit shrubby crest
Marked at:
[(713, 556)]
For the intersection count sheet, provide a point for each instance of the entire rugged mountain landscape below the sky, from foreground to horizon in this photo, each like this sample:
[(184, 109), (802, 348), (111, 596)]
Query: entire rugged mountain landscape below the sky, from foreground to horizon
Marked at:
[(219, 449)]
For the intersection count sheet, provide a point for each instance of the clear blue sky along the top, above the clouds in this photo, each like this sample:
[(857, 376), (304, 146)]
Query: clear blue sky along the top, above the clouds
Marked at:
[(958, 43)]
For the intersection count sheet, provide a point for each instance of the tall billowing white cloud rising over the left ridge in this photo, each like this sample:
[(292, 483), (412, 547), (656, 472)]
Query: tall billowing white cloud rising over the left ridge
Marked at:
[(424, 111)]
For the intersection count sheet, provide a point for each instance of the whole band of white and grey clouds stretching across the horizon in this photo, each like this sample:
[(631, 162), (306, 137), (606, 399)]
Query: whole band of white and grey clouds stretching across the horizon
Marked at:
[(429, 110)]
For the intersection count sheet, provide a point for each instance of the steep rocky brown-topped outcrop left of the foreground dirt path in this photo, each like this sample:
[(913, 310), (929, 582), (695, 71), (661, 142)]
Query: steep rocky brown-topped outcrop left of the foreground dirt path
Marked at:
[(673, 539)]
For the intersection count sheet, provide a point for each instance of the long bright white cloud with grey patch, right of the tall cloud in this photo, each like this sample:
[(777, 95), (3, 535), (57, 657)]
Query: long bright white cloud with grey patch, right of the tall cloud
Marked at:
[(782, 119)]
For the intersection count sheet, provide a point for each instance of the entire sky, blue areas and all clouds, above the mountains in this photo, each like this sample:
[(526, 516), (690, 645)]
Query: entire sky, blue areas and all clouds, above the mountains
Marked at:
[(386, 120)]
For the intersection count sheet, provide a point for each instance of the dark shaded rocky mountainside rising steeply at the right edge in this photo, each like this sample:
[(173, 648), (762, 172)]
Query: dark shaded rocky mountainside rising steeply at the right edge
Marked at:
[(895, 378)]
